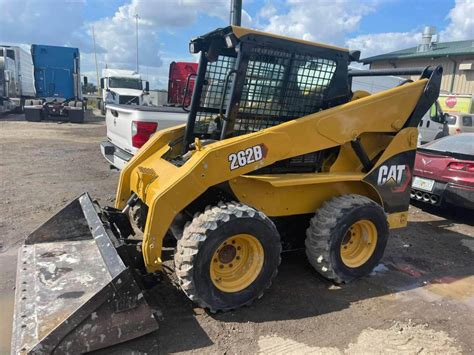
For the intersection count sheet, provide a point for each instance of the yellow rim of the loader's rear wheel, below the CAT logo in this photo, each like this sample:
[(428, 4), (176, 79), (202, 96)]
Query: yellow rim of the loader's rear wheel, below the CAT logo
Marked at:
[(359, 243)]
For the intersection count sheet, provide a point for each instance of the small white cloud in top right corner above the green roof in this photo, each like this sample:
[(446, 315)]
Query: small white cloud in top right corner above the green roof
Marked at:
[(461, 22)]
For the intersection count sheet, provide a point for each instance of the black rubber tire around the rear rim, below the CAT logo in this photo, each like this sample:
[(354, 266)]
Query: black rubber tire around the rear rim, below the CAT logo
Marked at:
[(328, 228)]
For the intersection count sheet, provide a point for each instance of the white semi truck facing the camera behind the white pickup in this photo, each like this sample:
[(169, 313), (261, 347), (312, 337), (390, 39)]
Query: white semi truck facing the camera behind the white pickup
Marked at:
[(124, 87)]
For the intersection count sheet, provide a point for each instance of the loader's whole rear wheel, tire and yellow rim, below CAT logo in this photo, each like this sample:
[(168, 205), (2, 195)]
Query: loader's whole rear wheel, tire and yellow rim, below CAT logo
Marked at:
[(347, 237)]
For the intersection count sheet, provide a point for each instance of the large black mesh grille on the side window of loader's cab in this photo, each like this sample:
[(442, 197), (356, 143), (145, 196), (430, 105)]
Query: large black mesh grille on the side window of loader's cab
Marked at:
[(281, 86)]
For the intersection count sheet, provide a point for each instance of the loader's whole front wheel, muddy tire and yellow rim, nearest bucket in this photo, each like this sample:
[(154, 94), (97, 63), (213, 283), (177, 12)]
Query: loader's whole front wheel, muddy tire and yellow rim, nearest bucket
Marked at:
[(227, 256)]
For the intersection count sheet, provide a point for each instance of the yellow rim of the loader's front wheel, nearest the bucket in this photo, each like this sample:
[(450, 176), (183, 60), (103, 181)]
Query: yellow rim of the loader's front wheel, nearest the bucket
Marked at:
[(236, 263)]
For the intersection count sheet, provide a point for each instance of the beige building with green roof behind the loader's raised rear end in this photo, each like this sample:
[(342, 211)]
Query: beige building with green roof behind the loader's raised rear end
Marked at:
[(457, 59)]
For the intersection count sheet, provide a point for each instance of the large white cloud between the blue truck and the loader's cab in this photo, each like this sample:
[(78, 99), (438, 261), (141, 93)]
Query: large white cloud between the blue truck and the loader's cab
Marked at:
[(116, 34)]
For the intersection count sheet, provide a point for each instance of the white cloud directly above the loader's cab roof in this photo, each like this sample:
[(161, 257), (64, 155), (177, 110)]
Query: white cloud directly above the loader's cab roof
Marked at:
[(315, 20)]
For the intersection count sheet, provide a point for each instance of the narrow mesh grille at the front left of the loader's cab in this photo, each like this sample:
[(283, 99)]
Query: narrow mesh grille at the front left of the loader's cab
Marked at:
[(212, 92)]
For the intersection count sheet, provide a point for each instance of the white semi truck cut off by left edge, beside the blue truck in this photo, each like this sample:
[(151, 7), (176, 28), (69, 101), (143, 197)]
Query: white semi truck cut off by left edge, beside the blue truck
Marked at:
[(16, 78)]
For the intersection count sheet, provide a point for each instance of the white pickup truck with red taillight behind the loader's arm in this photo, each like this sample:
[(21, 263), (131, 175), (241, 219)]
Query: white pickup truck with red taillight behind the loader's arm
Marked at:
[(129, 127)]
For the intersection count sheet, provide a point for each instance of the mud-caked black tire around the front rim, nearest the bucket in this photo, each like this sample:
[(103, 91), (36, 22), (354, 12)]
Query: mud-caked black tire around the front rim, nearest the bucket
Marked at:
[(203, 236)]
